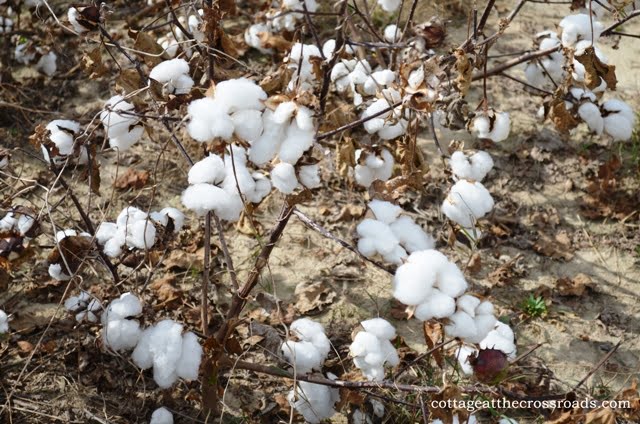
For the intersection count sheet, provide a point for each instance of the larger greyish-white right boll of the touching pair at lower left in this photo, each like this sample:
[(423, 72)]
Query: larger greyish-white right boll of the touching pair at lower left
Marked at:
[(172, 354)]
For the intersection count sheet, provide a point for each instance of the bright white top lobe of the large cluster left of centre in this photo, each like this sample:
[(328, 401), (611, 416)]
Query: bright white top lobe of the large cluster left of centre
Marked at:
[(240, 94)]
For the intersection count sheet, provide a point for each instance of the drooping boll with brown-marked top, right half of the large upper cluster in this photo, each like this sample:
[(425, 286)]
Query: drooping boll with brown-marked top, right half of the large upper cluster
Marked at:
[(288, 132)]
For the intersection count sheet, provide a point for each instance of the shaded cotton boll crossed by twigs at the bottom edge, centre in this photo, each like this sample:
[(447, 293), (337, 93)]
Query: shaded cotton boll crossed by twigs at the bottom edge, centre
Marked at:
[(315, 402)]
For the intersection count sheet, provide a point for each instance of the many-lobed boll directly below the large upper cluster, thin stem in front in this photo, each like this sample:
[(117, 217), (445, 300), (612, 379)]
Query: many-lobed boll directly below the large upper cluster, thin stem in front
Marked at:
[(214, 184)]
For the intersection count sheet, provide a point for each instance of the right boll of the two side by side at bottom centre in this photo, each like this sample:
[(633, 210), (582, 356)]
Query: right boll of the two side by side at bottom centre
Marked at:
[(372, 350)]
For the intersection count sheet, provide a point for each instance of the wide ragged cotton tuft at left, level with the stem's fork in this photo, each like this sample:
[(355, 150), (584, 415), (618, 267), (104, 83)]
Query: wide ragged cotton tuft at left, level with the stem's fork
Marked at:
[(135, 229)]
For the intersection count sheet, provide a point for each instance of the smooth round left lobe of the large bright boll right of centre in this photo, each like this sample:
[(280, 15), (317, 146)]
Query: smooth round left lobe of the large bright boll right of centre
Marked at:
[(412, 282)]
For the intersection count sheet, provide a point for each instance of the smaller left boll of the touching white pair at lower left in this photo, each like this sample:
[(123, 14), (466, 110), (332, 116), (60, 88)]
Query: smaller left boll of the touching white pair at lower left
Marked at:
[(119, 332)]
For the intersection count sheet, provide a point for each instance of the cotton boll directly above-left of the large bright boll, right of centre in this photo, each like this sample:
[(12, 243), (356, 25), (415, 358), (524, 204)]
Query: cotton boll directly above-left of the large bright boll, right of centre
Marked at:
[(391, 234)]
